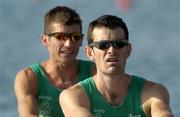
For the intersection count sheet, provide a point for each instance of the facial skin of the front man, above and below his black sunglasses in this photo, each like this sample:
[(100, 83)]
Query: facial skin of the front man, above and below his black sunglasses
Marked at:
[(111, 61)]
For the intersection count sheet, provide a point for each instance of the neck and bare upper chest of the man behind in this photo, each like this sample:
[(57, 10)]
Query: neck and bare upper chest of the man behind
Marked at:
[(60, 74)]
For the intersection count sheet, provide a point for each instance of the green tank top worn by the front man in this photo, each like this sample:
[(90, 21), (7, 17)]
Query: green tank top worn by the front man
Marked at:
[(130, 107)]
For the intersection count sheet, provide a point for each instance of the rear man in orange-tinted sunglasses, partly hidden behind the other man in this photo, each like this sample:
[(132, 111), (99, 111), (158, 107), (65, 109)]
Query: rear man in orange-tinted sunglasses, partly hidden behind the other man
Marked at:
[(38, 86)]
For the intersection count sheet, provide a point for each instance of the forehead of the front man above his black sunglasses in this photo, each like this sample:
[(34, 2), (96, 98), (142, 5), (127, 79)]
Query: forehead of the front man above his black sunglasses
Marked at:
[(103, 33)]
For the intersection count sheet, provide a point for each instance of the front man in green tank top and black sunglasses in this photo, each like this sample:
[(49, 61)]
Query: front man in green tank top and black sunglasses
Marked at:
[(112, 92)]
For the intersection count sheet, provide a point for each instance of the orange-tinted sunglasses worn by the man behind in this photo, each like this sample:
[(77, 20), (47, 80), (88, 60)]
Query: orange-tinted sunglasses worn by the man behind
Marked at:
[(64, 36)]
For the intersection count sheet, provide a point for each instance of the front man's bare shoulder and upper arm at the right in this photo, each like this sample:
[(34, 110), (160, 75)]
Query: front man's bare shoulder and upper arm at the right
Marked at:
[(155, 100)]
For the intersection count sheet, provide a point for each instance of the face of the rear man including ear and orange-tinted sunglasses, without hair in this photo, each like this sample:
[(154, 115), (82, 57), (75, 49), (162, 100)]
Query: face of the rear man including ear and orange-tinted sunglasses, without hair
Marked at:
[(62, 48)]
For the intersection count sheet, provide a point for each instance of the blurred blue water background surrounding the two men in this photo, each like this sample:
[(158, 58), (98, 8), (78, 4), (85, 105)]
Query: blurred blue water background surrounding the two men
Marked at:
[(154, 27)]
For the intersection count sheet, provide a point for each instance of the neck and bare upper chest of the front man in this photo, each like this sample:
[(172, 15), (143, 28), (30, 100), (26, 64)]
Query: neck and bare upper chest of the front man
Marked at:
[(114, 89)]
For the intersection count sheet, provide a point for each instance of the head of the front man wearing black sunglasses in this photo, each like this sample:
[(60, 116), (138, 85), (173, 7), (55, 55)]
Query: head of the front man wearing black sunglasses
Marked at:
[(109, 47)]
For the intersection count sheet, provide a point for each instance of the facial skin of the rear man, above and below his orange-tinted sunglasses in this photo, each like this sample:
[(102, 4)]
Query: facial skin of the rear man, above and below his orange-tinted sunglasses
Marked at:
[(65, 51)]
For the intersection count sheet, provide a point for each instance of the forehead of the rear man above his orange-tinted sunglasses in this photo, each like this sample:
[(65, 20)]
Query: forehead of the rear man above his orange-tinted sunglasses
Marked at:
[(59, 27)]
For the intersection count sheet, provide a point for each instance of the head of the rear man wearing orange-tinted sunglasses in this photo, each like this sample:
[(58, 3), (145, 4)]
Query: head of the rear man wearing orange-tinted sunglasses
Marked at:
[(62, 33)]
